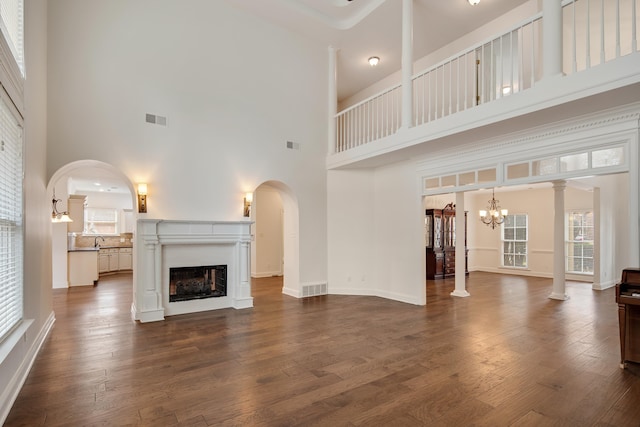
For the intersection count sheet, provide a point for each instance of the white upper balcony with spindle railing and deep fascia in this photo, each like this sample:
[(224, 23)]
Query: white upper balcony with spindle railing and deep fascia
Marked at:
[(570, 59)]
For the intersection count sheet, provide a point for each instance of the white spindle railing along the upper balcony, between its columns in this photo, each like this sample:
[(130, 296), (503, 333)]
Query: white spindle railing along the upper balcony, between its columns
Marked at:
[(506, 64)]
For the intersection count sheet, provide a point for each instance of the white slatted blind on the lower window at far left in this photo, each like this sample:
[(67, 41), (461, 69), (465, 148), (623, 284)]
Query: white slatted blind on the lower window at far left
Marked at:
[(11, 223)]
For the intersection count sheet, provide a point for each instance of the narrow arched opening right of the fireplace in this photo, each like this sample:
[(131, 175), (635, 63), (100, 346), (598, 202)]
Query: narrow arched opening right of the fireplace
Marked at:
[(275, 248)]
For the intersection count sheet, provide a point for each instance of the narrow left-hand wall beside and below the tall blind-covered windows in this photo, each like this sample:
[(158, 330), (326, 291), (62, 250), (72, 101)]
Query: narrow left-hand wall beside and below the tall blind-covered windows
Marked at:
[(37, 224)]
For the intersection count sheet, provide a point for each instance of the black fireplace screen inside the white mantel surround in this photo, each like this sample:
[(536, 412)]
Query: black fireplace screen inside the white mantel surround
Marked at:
[(189, 283)]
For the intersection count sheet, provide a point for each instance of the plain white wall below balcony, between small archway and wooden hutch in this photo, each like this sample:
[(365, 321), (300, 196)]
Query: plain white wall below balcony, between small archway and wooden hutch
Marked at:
[(375, 243)]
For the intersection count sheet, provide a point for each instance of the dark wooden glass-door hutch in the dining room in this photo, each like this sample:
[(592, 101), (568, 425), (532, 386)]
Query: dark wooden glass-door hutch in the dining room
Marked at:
[(440, 240)]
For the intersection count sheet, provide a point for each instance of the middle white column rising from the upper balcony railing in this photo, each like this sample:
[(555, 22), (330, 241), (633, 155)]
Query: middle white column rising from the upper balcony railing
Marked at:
[(407, 64)]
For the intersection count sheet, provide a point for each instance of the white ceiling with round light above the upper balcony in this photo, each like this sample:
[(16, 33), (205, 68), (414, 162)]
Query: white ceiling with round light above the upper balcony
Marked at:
[(360, 29)]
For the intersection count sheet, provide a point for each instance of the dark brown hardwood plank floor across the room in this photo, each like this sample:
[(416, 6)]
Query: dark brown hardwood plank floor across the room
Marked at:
[(505, 356)]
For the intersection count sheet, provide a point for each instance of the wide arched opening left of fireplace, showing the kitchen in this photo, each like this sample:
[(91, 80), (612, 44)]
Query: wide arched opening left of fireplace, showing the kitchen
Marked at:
[(101, 202)]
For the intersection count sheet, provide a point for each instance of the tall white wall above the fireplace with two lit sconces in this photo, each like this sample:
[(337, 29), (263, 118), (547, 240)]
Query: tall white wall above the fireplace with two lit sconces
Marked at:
[(234, 89)]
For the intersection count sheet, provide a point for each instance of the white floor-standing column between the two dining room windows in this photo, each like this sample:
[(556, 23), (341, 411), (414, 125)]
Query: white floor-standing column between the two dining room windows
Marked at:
[(558, 291)]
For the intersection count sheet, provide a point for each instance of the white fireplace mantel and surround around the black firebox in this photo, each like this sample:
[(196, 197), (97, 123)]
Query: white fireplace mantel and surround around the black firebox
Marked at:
[(163, 244)]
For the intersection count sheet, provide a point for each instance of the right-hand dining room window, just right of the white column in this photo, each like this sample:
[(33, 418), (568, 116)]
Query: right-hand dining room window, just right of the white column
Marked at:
[(579, 243)]
